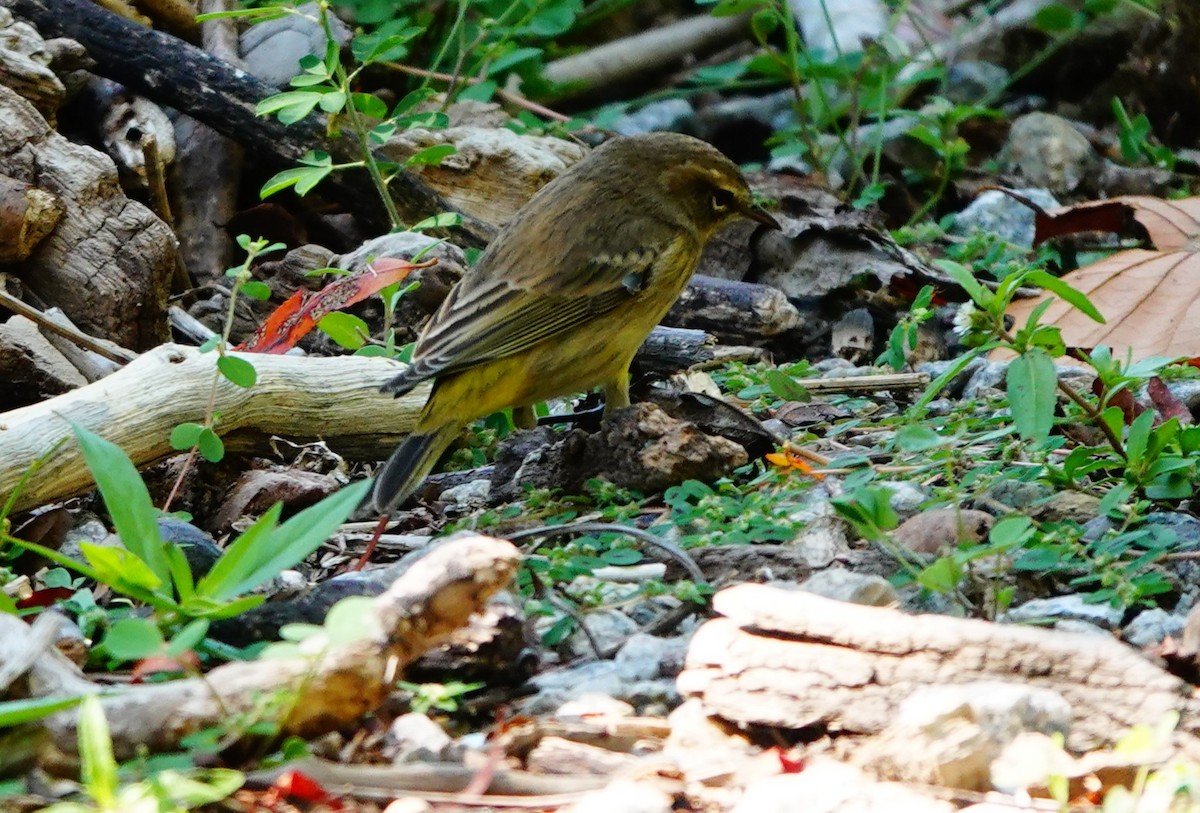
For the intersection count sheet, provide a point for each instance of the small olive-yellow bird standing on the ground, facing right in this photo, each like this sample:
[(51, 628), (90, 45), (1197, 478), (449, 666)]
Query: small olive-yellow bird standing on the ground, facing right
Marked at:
[(567, 292)]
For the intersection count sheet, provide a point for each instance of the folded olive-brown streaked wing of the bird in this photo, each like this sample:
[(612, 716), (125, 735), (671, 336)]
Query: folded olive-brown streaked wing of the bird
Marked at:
[(496, 320)]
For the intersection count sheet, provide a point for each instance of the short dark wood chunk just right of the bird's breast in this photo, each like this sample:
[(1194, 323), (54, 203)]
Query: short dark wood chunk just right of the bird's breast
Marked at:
[(734, 312)]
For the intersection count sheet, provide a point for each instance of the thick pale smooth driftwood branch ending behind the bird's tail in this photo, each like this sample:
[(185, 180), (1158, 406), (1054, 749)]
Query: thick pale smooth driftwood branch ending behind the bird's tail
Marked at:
[(335, 400)]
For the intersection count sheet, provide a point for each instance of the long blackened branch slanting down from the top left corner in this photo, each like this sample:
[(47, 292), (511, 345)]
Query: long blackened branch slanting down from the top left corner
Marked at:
[(177, 75)]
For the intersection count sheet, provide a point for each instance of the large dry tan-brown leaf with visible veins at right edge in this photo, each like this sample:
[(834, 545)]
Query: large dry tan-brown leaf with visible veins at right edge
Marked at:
[(1150, 299)]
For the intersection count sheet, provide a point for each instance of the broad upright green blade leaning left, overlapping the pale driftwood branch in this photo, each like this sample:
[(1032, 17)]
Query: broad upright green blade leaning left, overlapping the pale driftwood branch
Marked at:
[(128, 501)]
